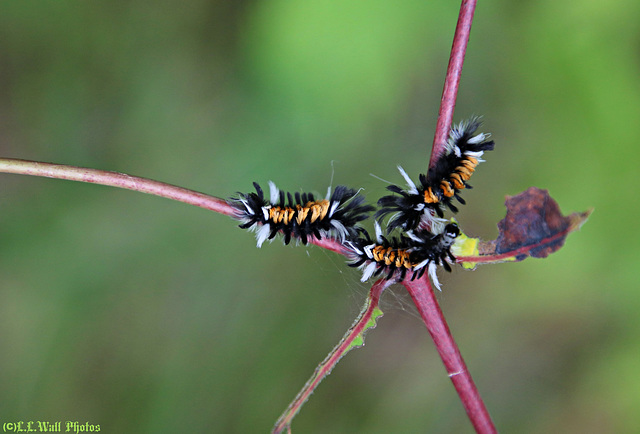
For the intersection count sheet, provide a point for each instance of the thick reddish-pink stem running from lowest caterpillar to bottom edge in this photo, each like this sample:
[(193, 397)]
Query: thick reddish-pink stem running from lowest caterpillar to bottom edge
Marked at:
[(423, 296)]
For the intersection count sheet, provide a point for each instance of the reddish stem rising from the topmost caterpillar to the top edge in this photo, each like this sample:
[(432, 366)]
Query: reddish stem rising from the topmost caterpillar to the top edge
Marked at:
[(454, 71)]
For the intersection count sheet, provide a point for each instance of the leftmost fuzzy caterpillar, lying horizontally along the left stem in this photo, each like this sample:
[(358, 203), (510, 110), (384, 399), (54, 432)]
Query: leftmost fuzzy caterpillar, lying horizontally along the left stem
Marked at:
[(301, 216)]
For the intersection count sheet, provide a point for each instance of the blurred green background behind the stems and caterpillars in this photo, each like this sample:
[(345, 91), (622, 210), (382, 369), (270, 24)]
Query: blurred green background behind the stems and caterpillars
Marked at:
[(145, 315)]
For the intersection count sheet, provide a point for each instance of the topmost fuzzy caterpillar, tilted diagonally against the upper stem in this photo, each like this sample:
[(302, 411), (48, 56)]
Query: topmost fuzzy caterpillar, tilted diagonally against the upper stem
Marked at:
[(442, 183)]
